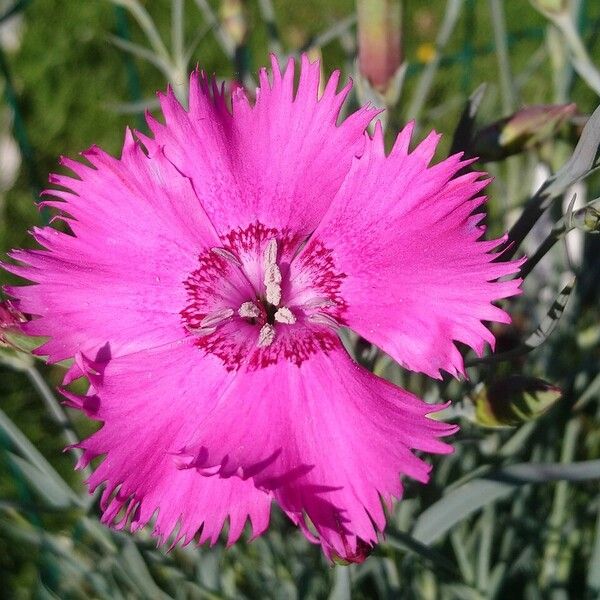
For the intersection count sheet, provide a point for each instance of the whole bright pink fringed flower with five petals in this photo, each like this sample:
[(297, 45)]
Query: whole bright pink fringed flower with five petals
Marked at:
[(201, 289)]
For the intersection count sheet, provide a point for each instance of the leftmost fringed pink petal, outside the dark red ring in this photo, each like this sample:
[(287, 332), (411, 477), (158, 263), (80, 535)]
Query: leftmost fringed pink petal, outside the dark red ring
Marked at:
[(138, 229)]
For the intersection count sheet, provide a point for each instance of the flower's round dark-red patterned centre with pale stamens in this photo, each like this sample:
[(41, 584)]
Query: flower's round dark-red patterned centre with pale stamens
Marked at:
[(248, 304)]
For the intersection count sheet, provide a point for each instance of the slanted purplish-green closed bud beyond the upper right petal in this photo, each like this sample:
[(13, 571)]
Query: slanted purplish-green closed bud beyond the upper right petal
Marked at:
[(522, 130)]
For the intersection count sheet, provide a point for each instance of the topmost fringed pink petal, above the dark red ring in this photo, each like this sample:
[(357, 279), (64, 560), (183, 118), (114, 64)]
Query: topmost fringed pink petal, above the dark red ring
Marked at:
[(280, 161)]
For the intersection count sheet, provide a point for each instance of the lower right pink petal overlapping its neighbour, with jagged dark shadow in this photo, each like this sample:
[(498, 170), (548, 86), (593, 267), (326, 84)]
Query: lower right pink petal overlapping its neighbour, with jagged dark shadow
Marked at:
[(328, 438)]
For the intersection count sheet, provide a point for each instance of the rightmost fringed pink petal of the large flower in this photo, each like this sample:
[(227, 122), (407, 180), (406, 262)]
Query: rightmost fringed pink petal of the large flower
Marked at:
[(416, 275)]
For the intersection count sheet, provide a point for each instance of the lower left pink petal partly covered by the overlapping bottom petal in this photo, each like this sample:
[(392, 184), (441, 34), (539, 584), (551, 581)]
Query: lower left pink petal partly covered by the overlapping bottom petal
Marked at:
[(151, 404)]
